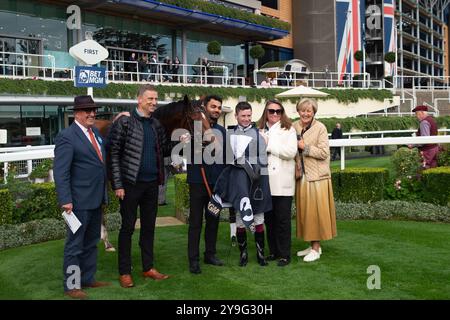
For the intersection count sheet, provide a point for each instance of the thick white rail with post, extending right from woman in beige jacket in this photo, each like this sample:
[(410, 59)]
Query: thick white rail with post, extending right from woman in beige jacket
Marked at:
[(342, 143)]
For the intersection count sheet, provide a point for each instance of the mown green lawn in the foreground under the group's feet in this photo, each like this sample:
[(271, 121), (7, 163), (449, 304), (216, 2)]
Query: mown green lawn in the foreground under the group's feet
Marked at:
[(413, 258)]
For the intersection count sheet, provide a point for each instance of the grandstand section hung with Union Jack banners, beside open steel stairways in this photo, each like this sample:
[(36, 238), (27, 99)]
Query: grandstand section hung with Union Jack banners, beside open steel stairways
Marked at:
[(415, 32)]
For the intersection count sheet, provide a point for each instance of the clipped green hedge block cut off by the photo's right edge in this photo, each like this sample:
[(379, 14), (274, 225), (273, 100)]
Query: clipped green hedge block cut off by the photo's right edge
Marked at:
[(436, 185)]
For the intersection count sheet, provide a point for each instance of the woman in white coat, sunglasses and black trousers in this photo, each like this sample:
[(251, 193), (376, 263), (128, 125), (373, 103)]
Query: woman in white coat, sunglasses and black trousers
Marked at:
[(281, 140)]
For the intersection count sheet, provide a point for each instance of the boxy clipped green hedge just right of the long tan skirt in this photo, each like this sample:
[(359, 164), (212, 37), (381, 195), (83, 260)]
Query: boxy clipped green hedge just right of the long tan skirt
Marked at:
[(359, 184)]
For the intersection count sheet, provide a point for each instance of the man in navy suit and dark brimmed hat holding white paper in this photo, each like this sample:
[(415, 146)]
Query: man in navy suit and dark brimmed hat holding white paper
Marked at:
[(80, 178)]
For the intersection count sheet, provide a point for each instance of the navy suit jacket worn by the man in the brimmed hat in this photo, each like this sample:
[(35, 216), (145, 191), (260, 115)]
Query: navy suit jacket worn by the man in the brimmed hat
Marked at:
[(80, 176)]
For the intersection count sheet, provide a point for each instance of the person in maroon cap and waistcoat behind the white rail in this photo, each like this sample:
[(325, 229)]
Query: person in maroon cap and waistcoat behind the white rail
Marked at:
[(427, 127)]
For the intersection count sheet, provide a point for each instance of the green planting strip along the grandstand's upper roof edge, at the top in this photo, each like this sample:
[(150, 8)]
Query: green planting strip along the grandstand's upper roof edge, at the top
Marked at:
[(209, 7)]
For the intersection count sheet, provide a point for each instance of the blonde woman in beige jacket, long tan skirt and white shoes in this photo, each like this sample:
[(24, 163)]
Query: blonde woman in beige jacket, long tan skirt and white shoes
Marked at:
[(316, 214)]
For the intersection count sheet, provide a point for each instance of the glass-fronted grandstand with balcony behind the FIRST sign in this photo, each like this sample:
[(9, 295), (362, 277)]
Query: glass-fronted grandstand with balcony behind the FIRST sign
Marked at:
[(35, 37)]
